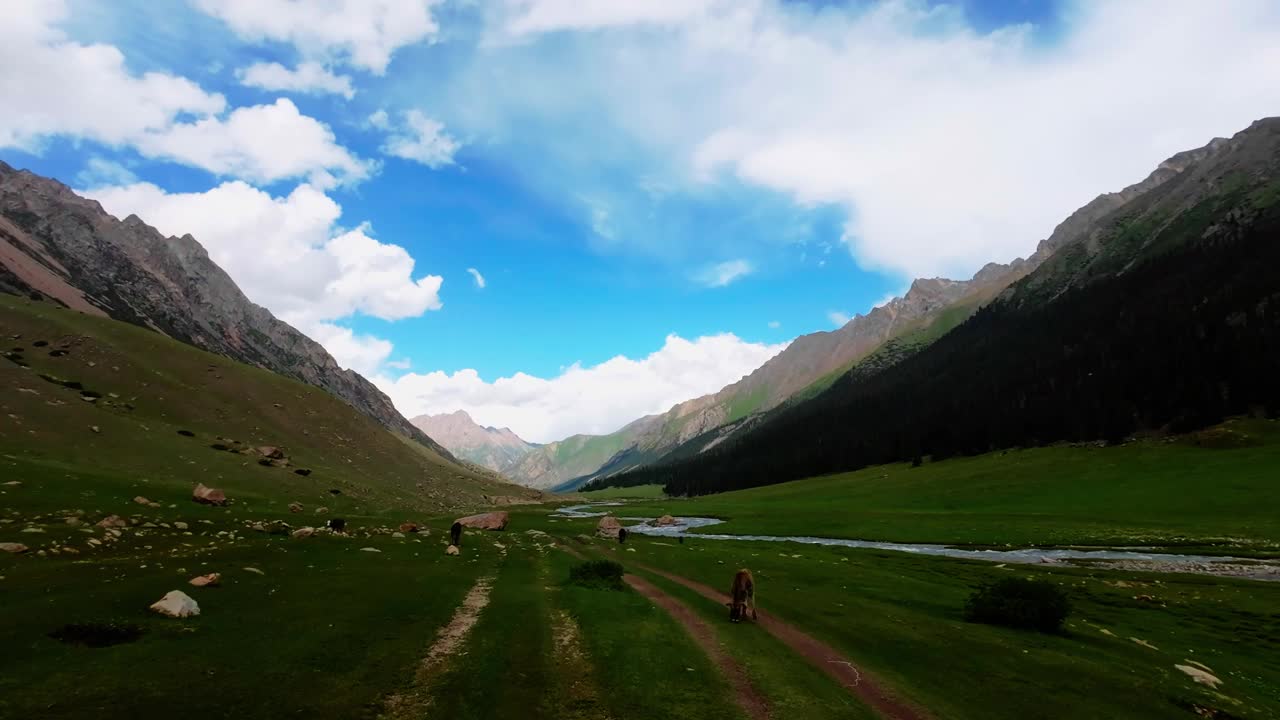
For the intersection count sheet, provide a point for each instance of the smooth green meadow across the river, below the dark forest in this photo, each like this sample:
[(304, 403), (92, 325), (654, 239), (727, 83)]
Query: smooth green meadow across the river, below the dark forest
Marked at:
[(1218, 487)]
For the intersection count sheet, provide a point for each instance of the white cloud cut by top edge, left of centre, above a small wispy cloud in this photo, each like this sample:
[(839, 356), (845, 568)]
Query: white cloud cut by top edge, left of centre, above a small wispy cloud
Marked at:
[(362, 33)]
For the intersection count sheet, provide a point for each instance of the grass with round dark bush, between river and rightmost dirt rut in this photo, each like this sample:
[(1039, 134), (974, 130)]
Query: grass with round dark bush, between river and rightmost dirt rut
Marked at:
[(903, 618)]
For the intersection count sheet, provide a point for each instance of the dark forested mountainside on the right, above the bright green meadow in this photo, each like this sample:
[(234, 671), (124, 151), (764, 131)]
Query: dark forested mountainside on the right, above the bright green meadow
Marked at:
[(1155, 316)]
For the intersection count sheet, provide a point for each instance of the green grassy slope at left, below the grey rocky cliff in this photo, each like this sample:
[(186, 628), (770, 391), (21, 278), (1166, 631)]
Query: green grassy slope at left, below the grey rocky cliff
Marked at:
[(89, 408)]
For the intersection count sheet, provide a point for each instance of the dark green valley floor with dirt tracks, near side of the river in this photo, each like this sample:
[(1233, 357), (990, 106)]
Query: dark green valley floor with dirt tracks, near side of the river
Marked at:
[(377, 626)]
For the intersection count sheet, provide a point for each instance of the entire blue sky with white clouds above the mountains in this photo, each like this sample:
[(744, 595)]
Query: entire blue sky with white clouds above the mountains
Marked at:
[(561, 216)]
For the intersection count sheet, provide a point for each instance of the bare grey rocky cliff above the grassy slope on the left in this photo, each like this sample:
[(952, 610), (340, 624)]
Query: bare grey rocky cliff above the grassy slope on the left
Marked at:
[(66, 248)]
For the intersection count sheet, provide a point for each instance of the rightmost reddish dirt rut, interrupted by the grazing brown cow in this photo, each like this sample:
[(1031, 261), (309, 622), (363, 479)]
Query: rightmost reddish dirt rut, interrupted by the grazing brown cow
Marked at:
[(819, 654)]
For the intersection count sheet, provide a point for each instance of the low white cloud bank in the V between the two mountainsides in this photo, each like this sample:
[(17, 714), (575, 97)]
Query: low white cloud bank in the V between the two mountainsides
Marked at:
[(596, 400)]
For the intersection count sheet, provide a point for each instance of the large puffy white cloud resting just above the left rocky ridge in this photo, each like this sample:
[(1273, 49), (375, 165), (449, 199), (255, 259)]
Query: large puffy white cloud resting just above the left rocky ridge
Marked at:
[(289, 256)]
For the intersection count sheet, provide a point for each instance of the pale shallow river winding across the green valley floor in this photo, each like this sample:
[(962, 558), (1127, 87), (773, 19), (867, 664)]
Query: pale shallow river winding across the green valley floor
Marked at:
[(1130, 559)]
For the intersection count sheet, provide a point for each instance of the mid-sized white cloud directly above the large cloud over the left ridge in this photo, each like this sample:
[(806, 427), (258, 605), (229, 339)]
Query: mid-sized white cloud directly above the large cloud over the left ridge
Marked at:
[(262, 144)]
